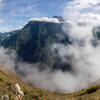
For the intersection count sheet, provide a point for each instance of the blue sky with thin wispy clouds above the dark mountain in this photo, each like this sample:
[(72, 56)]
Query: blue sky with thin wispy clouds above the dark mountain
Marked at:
[(16, 13)]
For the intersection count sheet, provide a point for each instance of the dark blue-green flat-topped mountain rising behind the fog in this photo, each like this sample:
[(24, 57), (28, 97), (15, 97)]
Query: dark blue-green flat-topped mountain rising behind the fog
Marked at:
[(33, 43)]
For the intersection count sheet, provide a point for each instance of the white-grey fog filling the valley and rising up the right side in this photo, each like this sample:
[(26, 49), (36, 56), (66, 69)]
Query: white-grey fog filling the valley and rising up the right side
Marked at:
[(82, 17)]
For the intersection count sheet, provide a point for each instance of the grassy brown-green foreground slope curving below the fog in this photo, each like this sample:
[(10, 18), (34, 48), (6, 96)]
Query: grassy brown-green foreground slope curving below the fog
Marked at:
[(8, 79)]
